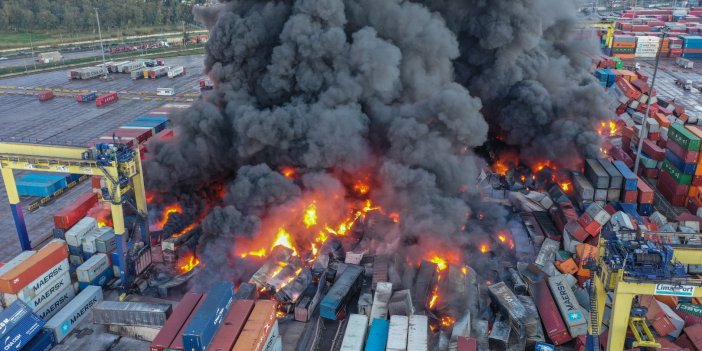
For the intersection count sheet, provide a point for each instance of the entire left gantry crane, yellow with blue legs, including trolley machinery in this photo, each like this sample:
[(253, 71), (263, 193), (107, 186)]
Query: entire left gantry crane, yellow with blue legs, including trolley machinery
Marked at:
[(120, 165)]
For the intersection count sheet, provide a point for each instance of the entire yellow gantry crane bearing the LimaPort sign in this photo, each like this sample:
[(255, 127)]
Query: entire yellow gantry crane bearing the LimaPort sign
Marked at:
[(626, 282)]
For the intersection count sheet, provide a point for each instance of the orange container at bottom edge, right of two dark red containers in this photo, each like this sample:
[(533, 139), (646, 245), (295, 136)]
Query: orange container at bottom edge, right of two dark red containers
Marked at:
[(261, 330)]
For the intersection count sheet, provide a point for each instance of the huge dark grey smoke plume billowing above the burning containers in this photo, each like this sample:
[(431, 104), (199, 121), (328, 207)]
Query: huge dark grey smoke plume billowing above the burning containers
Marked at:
[(397, 92)]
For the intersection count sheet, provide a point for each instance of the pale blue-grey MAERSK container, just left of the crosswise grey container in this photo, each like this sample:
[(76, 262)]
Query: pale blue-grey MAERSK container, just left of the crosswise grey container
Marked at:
[(70, 316)]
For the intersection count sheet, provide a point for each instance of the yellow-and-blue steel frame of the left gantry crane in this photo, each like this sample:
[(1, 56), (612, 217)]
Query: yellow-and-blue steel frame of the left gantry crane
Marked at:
[(73, 160)]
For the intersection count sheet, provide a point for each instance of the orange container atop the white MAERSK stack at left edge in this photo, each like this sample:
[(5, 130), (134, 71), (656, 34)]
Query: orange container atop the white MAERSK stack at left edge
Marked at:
[(17, 278)]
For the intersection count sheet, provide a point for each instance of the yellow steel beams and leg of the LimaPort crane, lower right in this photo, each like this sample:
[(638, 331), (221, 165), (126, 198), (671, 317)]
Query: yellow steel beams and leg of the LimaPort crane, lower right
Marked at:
[(625, 288)]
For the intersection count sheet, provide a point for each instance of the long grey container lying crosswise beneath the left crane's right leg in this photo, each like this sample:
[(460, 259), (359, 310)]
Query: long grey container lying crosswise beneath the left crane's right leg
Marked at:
[(131, 313)]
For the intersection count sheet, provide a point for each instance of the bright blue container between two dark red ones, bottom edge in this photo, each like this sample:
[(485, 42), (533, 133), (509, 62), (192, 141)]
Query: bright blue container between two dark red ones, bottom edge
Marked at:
[(201, 329)]
